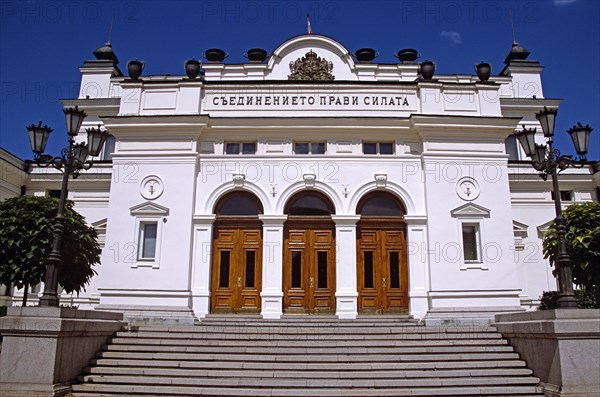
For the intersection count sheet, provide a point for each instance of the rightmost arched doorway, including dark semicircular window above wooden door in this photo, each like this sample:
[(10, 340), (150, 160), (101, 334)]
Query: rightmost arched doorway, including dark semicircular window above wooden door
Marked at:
[(382, 271)]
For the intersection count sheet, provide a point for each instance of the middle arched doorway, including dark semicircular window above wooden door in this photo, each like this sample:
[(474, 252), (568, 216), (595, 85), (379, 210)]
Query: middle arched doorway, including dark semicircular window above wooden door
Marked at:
[(309, 254)]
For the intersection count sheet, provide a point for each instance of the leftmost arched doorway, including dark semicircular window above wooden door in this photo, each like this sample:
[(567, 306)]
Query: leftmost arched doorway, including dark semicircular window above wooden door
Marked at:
[(237, 254)]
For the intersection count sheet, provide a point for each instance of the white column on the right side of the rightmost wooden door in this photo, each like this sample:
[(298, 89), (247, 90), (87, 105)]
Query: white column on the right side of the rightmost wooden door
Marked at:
[(418, 265)]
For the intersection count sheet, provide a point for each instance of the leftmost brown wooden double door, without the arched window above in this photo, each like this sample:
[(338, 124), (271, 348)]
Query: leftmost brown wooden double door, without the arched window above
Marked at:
[(236, 270)]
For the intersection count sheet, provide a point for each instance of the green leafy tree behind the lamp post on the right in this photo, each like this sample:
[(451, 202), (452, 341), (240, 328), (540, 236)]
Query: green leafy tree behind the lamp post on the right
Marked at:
[(583, 244)]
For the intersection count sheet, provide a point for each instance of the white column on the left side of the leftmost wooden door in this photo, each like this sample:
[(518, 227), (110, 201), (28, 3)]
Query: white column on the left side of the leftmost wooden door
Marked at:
[(201, 264)]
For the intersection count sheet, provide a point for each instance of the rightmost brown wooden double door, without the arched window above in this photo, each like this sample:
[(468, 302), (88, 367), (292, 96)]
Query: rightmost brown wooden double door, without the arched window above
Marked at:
[(382, 272)]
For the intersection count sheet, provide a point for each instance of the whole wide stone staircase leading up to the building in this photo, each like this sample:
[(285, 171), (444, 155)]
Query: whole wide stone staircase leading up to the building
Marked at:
[(307, 356)]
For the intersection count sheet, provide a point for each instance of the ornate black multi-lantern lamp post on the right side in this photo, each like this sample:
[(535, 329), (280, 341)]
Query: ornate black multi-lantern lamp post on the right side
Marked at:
[(549, 161)]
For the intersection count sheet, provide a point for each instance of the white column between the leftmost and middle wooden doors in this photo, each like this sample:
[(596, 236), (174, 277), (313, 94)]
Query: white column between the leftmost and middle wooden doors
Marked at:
[(272, 282)]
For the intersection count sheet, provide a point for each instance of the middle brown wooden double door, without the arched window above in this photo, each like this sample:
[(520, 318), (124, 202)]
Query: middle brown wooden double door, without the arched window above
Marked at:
[(309, 270)]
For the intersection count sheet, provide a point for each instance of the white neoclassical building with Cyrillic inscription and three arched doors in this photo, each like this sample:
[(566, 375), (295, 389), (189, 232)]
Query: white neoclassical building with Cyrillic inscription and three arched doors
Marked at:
[(314, 183)]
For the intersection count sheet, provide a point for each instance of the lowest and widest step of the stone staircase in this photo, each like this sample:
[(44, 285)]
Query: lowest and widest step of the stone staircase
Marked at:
[(98, 389)]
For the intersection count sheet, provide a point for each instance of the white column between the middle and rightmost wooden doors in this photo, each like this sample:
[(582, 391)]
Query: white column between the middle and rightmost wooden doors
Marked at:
[(345, 273)]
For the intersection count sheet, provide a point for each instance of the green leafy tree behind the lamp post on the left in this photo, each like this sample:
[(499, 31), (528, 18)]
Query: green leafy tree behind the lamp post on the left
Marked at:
[(26, 235)]
